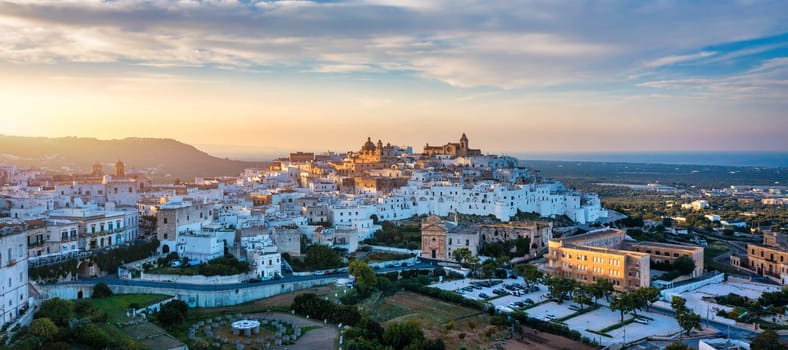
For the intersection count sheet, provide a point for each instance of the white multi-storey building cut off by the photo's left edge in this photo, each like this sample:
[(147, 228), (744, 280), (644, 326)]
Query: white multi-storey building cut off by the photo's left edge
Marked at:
[(13, 272)]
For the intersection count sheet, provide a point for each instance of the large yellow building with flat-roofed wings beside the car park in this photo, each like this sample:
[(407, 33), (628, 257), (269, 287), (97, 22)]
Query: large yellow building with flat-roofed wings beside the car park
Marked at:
[(605, 254)]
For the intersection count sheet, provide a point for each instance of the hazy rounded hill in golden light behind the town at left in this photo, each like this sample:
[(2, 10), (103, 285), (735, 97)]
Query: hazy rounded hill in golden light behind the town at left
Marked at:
[(162, 159)]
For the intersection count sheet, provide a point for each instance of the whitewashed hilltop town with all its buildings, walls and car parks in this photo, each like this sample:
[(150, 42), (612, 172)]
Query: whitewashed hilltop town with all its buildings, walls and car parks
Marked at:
[(461, 200)]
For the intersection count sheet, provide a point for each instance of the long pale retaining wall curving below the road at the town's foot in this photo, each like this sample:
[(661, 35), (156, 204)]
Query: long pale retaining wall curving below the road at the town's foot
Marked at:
[(195, 298)]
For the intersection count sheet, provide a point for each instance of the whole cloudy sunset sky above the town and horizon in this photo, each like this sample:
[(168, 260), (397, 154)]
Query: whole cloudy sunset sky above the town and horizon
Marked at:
[(516, 76)]
